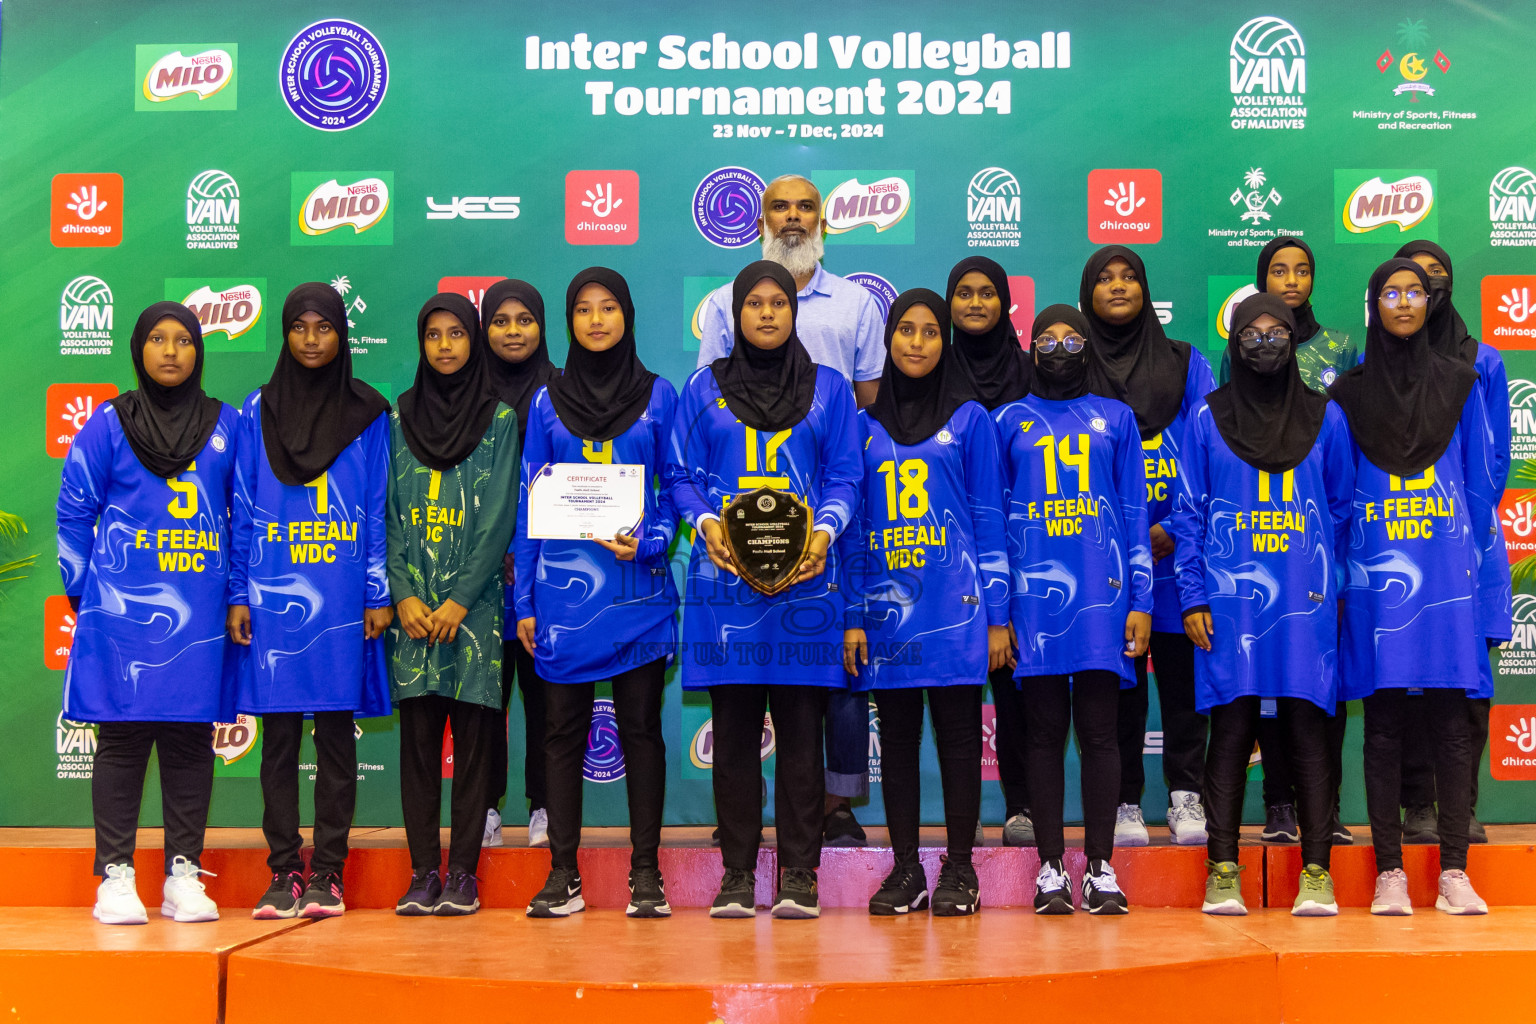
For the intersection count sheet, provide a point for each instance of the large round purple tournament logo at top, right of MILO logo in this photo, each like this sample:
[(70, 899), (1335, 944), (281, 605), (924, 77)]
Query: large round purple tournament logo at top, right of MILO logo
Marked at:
[(334, 76)]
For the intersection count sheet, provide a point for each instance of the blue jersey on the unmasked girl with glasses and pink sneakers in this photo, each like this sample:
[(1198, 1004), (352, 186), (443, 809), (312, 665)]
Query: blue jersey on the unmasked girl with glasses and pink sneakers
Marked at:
[(1411, 596)]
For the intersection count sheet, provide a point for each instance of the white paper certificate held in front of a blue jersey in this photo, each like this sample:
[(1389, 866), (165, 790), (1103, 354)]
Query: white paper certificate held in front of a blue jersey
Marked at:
[(583, 501)]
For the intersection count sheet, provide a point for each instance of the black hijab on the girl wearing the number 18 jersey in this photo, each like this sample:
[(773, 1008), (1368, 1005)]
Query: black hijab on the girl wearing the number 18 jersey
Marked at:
[(915, 409)]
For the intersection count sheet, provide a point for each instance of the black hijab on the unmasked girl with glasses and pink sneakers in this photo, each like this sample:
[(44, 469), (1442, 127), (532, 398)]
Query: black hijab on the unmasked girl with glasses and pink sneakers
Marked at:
[(1405, 401)]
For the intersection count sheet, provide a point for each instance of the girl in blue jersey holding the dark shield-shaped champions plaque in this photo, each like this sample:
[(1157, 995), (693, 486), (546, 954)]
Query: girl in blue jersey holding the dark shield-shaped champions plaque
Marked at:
[(766, 632)]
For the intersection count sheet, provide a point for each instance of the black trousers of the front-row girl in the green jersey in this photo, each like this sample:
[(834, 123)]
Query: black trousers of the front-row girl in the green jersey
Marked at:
[(475, 727)]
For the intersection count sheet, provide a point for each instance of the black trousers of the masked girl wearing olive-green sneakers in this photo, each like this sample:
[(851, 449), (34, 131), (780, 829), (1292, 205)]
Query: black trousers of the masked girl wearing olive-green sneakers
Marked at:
[(1234, 727)]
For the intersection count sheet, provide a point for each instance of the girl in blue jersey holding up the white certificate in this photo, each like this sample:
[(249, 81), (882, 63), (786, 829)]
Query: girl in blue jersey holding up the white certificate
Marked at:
[(597, 609)]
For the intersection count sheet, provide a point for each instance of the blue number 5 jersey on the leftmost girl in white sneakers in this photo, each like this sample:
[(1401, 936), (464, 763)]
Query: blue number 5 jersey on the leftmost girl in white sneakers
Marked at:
[(148, 560)]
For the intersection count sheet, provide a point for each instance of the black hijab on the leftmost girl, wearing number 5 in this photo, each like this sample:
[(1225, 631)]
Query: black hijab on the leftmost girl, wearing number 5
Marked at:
[(167, 426)]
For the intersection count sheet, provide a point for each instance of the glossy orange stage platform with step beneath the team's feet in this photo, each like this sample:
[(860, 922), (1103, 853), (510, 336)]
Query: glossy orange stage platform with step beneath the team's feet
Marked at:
[(372, 966)]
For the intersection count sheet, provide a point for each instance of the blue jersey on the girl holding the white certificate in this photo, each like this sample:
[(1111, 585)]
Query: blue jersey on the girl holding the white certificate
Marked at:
[(598, 616)]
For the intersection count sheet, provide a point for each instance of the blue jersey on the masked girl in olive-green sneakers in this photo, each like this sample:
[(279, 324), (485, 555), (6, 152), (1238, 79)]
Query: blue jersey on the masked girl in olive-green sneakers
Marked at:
[(1263, 552)]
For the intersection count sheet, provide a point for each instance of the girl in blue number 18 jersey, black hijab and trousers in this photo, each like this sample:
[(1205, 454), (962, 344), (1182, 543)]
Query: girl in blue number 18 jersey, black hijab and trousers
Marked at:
[(927, 583)]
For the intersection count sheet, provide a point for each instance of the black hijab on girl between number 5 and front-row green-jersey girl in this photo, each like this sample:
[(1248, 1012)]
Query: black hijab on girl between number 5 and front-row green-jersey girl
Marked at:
[(310, 417)]
